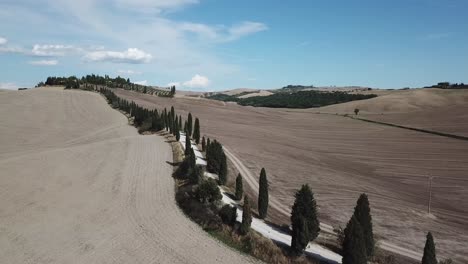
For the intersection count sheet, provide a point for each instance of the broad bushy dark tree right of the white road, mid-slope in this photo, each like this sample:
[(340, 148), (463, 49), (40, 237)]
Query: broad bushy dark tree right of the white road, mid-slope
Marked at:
[(216, 161)]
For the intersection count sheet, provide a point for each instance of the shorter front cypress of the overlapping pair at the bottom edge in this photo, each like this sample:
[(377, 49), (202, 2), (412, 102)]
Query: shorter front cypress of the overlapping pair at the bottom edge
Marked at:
[(354, 246)]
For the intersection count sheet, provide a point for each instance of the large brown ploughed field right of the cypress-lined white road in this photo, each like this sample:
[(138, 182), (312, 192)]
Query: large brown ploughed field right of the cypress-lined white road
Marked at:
[(341, 158)]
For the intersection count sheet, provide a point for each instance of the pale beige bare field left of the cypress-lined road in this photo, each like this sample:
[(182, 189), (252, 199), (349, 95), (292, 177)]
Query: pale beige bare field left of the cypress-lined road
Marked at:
[(79, 185)]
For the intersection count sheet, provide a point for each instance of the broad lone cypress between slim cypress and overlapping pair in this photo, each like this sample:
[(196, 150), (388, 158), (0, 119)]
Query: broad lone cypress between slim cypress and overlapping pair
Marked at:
[(304, 221)]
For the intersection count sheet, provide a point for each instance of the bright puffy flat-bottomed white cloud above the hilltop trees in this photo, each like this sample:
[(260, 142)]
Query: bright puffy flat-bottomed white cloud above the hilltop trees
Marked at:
[(132, 55)]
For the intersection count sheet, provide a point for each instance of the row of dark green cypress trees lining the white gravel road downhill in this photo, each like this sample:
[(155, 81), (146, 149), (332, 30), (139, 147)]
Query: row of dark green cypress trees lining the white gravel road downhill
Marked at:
[(358, 243)]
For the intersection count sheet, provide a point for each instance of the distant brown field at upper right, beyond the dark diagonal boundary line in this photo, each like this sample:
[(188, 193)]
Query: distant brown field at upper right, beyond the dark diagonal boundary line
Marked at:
[(432, 109)]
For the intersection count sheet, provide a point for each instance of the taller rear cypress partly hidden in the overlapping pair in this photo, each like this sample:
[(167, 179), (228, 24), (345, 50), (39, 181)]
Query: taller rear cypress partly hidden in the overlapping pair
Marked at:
[(363, 215)]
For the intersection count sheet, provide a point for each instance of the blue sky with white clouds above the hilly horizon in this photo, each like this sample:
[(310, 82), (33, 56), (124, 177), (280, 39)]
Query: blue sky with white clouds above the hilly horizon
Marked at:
[(208, 45)]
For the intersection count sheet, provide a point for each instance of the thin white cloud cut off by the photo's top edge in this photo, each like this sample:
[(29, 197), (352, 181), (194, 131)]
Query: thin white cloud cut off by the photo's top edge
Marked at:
[(154, 6)]
